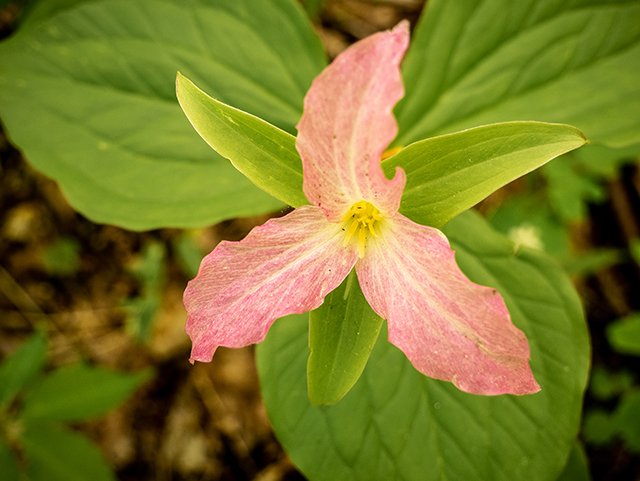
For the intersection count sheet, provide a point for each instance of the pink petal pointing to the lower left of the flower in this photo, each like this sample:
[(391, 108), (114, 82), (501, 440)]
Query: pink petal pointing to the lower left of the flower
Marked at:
[(286, 266)]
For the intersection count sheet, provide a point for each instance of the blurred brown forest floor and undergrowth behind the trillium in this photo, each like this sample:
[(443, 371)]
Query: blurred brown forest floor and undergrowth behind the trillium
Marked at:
[(110, 301)]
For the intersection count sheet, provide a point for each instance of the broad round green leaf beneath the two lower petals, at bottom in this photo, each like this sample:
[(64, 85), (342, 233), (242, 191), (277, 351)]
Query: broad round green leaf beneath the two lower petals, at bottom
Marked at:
[(397, 424)]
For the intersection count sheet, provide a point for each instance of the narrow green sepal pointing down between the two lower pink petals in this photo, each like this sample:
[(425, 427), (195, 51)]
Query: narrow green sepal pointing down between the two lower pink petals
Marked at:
[(342, 332)]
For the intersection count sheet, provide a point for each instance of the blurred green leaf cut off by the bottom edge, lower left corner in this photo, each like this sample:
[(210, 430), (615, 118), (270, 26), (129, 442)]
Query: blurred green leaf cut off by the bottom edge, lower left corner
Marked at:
[(57, 454)]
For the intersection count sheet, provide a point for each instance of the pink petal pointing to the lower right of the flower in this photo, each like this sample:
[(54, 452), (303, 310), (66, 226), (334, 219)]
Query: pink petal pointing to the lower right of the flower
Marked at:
[(448, 327)]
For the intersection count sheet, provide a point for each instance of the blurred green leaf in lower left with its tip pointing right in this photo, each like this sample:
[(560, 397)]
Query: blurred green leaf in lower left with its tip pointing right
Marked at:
[(78, 392)]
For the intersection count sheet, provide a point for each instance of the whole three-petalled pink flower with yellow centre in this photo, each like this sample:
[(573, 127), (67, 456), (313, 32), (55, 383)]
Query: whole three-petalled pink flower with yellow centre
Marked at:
[(448, 327)]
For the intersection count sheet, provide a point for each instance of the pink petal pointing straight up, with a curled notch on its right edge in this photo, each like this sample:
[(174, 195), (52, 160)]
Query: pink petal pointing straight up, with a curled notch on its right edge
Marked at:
[(347, 124)]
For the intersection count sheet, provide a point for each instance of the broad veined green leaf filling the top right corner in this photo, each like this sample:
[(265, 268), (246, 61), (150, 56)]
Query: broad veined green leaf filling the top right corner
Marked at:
[(475, 62)]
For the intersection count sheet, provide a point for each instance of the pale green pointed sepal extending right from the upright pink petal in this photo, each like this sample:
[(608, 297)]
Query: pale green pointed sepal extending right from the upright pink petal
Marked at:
[(449, 174)]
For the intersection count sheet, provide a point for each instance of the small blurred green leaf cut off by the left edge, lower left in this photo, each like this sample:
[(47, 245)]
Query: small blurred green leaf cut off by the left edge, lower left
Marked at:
[(22, 366)]
